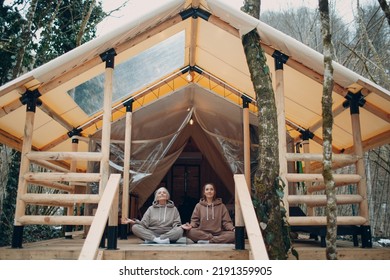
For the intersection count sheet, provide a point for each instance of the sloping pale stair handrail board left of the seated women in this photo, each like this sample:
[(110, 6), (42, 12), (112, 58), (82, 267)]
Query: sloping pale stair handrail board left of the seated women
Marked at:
[(106, 204)]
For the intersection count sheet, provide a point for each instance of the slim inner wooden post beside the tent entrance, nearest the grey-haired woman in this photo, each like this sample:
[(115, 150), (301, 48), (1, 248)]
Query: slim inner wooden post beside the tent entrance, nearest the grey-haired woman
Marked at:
[(126, 166)]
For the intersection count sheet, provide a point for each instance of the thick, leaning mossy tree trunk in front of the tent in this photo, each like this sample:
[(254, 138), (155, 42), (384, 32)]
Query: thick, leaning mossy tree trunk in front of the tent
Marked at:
[(266, 180)]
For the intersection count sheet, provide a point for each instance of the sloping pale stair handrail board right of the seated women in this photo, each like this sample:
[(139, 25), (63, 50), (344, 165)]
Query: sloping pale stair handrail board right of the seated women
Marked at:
[(256, 241)]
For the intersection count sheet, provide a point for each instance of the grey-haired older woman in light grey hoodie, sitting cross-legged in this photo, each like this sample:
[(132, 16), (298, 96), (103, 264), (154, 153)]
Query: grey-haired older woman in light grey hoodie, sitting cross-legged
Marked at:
[(161, 222)]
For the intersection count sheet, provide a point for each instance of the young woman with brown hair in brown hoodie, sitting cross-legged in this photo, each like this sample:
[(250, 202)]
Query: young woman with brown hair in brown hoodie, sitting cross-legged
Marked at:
[(210, 220)]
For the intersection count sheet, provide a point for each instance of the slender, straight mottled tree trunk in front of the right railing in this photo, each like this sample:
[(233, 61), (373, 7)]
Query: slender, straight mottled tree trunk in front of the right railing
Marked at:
[(327, 126)]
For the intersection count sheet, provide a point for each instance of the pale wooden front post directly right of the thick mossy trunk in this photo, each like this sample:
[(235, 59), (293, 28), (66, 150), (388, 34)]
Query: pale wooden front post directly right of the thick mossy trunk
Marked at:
[(280, 59)]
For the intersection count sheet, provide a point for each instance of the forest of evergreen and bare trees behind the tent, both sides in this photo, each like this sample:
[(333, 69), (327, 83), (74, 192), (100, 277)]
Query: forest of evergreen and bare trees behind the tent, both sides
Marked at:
[(33, 32)]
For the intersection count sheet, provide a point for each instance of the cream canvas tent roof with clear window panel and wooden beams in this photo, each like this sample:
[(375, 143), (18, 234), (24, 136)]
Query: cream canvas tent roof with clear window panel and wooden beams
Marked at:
[(152, 52)]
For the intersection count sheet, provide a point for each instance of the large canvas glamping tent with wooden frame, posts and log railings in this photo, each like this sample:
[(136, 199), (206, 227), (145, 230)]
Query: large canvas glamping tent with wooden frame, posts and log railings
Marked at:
[(173, 89)]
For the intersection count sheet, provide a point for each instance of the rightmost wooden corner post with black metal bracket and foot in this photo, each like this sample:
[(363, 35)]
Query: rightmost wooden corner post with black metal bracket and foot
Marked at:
[(355, 101)]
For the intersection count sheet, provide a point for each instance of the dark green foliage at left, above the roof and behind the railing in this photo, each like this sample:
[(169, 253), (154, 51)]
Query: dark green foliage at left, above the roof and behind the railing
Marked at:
[(55, 30)]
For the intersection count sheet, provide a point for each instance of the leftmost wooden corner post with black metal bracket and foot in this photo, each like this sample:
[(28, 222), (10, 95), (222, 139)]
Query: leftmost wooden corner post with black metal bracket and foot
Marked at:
[(30, 98)]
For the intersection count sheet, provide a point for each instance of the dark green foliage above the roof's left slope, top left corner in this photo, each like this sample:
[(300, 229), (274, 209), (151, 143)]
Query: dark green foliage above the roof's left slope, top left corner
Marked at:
[(54, 31)]
